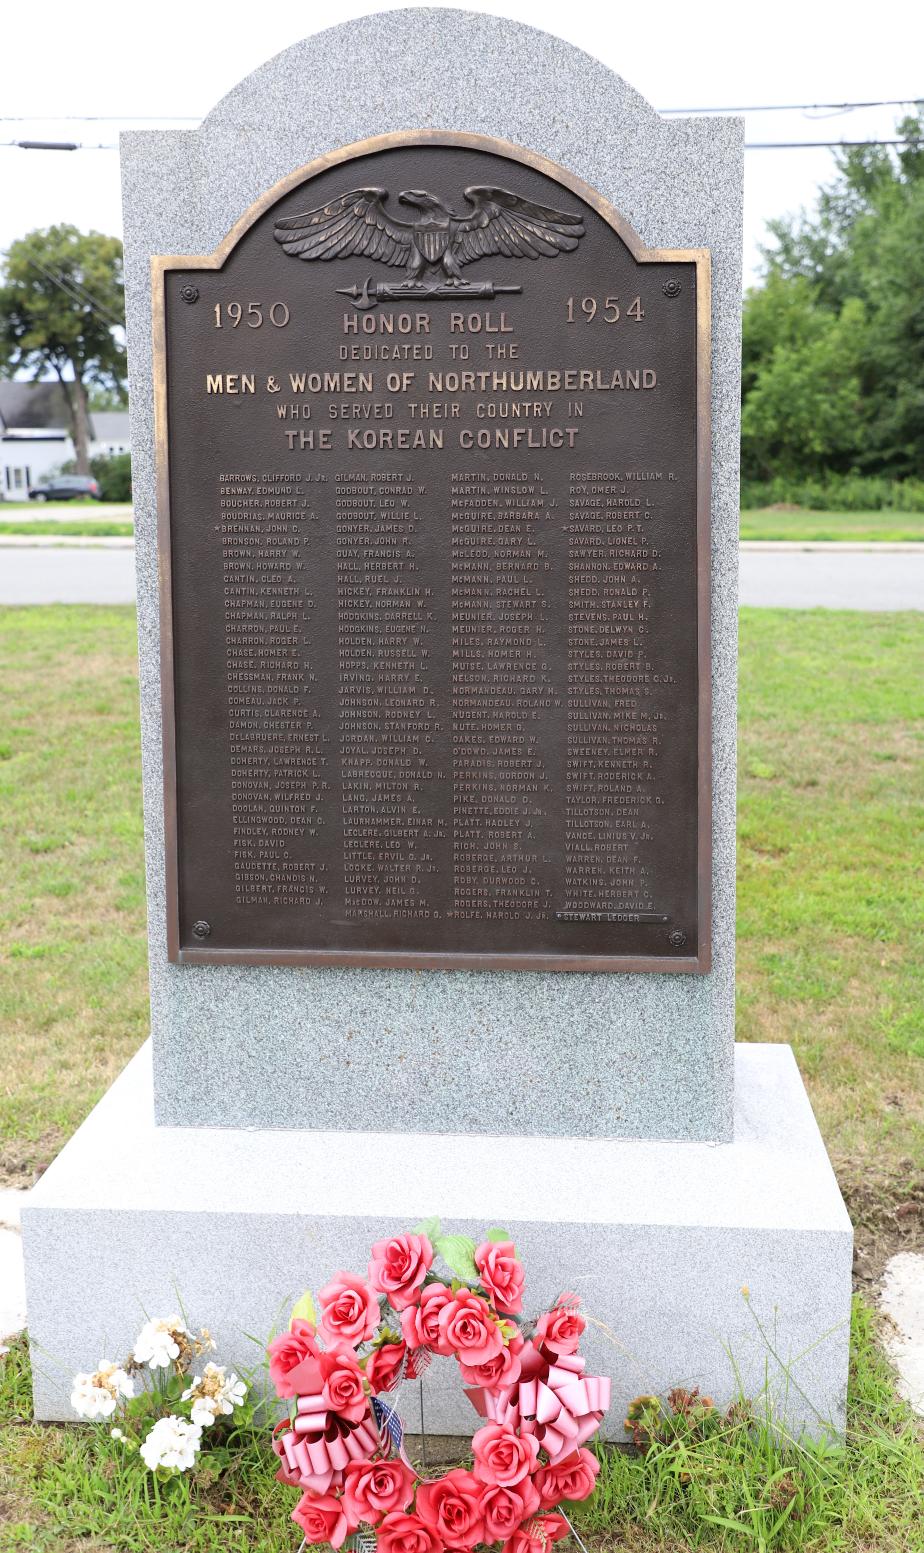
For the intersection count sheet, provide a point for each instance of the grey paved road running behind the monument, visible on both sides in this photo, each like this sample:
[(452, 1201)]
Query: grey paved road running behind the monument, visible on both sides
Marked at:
[(830, 577)]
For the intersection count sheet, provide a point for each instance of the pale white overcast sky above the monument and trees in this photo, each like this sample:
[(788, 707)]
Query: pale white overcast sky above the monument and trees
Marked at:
[(176, 60)]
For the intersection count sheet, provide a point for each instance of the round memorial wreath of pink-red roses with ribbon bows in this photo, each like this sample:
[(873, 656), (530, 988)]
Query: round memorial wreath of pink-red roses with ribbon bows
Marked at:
[(342, 1369)]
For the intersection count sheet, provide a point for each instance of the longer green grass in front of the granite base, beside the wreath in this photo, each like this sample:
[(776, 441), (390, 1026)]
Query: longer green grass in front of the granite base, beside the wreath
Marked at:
[(710, 1481)]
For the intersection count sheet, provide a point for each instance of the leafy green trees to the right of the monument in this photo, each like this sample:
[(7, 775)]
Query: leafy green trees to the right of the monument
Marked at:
[(835, 339)]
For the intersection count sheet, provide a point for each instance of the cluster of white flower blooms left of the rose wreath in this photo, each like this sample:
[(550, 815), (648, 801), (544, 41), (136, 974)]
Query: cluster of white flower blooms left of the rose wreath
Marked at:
[(172, 1444)]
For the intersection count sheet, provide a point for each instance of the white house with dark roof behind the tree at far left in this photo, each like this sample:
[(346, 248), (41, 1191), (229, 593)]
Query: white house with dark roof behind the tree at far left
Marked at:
[(35, 436)]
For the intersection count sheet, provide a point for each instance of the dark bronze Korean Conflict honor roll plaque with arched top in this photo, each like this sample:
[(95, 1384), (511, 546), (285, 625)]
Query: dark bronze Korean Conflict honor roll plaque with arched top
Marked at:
[(434, 521)]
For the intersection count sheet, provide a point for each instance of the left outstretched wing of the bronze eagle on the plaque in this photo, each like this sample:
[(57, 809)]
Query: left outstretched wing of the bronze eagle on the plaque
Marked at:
[(355, 223)]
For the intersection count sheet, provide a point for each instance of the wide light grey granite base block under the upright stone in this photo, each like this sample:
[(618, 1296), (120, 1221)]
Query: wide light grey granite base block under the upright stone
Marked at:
[(701, 1265)]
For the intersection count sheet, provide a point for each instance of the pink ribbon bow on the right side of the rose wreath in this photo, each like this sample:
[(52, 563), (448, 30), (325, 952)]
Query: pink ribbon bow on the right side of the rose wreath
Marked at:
[(561, 1409)]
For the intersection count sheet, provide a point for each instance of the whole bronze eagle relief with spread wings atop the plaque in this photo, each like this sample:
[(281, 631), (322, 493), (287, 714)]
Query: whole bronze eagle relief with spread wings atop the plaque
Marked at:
[(436, 246)]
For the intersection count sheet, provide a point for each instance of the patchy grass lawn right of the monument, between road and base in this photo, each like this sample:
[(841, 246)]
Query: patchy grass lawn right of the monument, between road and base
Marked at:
[(830, 925)]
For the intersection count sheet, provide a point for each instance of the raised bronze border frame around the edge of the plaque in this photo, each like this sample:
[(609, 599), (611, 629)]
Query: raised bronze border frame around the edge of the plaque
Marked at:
[(440, 961)]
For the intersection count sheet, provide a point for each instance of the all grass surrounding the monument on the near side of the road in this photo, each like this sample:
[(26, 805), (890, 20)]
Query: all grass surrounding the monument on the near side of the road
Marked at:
[(830, 959)]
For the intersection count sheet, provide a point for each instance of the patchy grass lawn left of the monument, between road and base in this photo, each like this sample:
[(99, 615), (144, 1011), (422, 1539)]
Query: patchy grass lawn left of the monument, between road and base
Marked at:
[(72, 891)]
